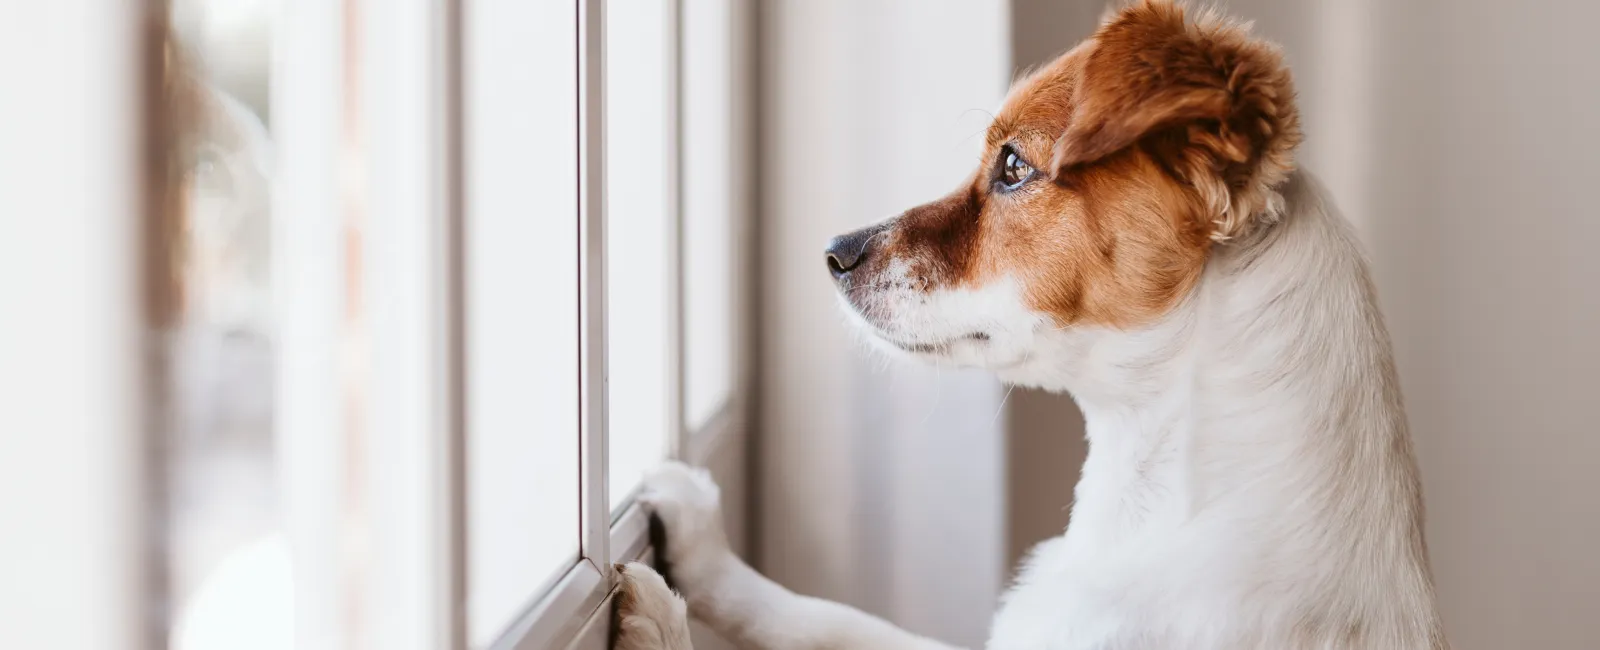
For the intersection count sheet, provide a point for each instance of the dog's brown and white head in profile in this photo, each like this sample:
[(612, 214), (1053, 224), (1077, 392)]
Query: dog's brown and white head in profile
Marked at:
[(1106, 180)]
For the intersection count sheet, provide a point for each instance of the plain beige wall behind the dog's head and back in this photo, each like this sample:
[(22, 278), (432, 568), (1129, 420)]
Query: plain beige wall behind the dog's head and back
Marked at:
[(1465, 142)]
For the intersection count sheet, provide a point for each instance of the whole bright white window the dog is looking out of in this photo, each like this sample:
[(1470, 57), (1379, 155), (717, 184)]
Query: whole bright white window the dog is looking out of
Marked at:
[(428, 292)]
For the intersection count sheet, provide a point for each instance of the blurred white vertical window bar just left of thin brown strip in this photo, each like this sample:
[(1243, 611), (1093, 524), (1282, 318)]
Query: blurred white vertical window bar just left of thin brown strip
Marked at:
[(308, 265)]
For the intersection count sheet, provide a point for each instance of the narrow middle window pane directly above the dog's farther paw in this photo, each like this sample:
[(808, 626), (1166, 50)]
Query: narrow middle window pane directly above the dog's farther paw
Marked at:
[(638, 211)]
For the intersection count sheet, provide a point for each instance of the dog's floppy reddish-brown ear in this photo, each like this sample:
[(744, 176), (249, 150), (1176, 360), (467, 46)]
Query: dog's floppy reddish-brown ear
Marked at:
[(1212, 102)]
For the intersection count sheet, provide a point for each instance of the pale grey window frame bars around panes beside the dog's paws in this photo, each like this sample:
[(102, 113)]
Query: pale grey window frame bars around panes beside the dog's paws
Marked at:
[(570, 612)]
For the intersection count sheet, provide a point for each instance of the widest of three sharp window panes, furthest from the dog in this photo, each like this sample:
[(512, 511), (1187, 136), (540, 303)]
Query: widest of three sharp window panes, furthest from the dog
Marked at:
[(522, 305)]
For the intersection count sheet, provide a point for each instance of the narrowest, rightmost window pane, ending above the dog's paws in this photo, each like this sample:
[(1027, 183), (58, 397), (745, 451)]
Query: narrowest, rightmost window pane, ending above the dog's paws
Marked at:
[(708, 209)]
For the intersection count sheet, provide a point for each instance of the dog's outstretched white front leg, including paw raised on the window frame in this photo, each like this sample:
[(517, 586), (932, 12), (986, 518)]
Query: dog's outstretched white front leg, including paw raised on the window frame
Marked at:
[(738, 603)]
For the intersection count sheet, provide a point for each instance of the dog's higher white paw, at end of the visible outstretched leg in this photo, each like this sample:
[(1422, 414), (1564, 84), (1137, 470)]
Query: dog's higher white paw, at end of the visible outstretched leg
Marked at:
[(690, 510)]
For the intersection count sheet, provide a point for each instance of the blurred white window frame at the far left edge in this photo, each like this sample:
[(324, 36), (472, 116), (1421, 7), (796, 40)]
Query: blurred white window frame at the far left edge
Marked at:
[(74, 212)]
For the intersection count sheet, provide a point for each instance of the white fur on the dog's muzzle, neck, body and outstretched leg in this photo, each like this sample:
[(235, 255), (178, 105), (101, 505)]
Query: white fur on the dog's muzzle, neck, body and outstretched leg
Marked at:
[(1250, 479)]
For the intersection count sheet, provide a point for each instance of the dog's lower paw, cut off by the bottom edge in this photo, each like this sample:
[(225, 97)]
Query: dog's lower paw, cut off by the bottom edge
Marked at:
[(649, 614)]
